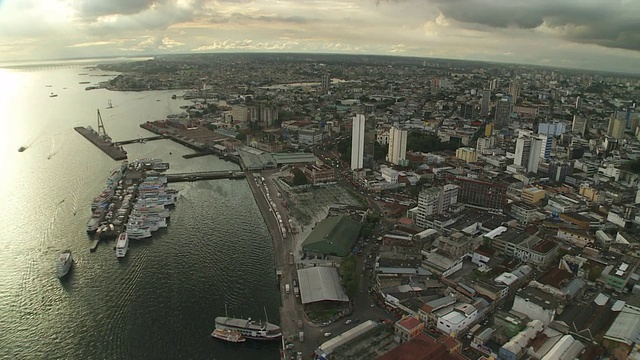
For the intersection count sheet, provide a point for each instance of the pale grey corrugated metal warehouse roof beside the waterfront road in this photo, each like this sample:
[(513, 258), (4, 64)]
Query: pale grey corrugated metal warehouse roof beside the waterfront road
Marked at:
[(320, 283)]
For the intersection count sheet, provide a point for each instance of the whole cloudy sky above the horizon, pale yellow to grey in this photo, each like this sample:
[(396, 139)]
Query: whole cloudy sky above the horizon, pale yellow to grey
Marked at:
[(592, 34)]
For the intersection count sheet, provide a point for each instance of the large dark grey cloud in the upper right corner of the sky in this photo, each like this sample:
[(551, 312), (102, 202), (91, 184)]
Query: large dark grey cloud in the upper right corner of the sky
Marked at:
[(613, 23)]
